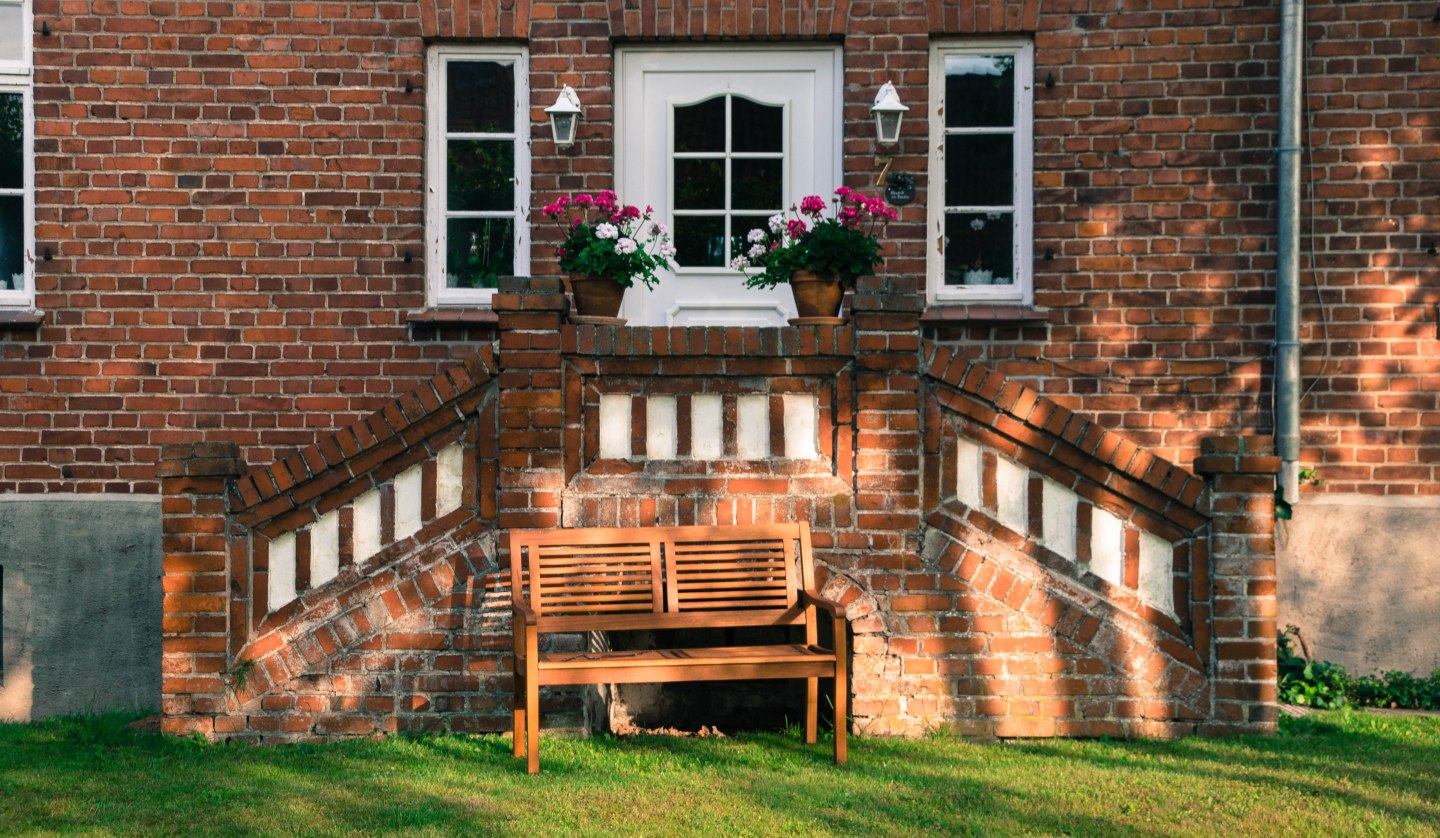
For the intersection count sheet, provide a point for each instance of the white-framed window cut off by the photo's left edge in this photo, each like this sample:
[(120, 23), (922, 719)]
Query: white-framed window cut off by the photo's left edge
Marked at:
[(17, 158)]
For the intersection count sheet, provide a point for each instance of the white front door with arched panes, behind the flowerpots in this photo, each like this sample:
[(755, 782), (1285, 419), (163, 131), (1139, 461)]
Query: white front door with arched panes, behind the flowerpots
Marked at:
[(719, 140)]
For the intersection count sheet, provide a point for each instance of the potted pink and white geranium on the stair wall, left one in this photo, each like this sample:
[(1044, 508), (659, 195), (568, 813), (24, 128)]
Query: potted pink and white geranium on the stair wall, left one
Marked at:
[(608, 247)]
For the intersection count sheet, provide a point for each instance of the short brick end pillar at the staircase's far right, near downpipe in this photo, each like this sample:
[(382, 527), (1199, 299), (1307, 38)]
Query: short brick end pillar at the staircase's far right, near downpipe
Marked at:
[(1241, 472)]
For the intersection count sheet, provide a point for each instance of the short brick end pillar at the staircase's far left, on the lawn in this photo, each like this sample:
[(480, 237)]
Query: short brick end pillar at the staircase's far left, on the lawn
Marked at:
[(195, 627)]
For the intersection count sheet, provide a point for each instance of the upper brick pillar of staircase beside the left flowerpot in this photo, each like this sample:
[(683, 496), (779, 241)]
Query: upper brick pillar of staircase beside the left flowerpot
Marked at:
[(532, 414)]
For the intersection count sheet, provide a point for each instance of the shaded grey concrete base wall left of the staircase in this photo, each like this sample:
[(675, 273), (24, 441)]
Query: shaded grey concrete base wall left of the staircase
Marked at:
[(81, 605)]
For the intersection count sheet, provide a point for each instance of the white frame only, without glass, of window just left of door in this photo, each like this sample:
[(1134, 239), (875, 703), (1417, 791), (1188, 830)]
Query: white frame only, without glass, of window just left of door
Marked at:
[(436, 211)]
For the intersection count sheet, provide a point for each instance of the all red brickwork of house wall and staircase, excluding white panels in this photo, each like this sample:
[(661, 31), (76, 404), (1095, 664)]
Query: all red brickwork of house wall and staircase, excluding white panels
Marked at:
[(230, 243)]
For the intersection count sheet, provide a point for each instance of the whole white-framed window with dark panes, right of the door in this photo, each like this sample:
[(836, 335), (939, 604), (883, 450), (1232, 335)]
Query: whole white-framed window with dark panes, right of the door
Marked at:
[(981, 172)]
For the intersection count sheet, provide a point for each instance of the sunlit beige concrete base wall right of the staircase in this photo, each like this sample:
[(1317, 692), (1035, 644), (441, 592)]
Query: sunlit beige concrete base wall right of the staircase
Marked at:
[(1362, 580)]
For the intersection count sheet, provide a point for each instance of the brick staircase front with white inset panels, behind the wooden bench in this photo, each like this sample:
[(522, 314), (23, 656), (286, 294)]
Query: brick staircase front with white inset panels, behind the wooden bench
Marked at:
[(973, 608)]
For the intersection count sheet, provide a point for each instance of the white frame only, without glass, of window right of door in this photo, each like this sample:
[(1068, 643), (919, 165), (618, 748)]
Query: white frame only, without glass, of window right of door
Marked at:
[(1025, 182)]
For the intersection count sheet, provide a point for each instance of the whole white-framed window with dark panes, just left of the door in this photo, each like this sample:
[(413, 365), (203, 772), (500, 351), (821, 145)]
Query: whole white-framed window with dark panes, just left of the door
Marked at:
[(479, 172)]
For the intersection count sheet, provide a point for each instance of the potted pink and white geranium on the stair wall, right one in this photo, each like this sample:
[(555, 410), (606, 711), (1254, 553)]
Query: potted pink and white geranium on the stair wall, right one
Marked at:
[(820, 256)]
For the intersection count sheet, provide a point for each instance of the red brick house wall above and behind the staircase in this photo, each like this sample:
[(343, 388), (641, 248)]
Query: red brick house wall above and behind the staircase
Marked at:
[(230, 215)]
